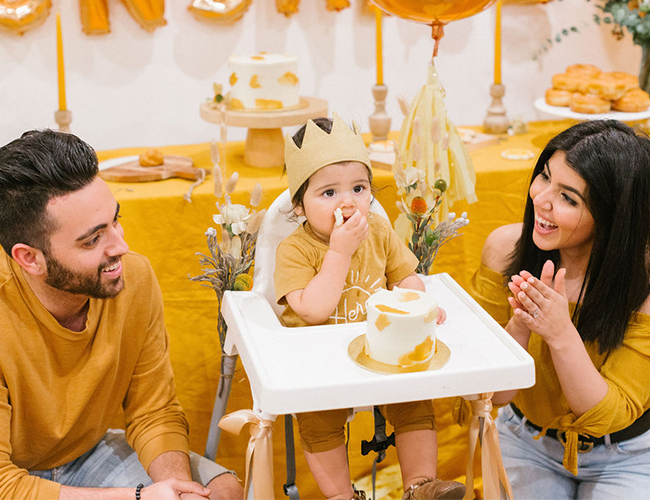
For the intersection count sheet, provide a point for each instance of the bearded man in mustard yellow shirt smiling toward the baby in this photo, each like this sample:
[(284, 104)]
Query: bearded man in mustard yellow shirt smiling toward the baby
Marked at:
[(81, 339)]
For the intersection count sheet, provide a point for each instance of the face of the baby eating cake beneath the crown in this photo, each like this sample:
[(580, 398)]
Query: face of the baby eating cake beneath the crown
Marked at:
[(344, 186)]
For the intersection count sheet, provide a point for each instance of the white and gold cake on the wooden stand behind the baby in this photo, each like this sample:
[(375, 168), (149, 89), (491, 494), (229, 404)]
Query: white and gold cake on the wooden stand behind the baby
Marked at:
[(263, 82)]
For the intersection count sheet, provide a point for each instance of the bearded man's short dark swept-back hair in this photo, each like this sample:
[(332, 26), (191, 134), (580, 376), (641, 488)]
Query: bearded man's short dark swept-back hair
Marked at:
[(41, 165)]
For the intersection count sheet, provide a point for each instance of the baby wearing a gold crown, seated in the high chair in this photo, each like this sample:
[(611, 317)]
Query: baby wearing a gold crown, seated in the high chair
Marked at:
[(325, 271)]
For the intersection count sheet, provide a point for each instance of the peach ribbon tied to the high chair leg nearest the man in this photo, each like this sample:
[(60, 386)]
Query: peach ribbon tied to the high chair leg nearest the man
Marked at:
[(259, 453)]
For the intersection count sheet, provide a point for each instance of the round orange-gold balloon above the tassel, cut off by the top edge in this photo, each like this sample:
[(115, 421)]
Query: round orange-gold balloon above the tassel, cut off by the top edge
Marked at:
[(433, 11)]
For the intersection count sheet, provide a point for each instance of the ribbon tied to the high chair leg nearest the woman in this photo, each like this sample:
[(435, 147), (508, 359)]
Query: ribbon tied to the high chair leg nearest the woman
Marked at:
[(482, 429)]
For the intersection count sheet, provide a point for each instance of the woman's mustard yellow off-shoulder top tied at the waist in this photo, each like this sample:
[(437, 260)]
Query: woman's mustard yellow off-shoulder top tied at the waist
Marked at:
[(626, 370)]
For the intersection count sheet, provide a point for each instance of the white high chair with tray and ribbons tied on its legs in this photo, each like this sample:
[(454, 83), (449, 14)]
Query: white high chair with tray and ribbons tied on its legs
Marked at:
[(294, 370)]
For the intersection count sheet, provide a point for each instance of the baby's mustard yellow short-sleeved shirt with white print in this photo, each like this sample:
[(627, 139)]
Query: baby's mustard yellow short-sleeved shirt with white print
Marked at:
[(381, 258)]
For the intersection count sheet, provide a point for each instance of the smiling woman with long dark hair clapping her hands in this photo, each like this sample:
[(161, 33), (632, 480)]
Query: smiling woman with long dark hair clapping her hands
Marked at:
[(571, 285)]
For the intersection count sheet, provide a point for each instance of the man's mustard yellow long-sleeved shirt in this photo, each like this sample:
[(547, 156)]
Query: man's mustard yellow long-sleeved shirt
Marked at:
[(59, 389)]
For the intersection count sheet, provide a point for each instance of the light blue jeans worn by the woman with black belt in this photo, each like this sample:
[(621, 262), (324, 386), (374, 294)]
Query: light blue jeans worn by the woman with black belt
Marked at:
[(534, 467)]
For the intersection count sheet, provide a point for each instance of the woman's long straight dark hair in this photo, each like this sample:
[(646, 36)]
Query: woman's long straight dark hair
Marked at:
[(615, 164)]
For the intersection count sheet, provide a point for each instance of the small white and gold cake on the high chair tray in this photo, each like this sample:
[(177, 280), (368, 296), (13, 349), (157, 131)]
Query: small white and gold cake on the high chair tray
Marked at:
[(401, 327)]
